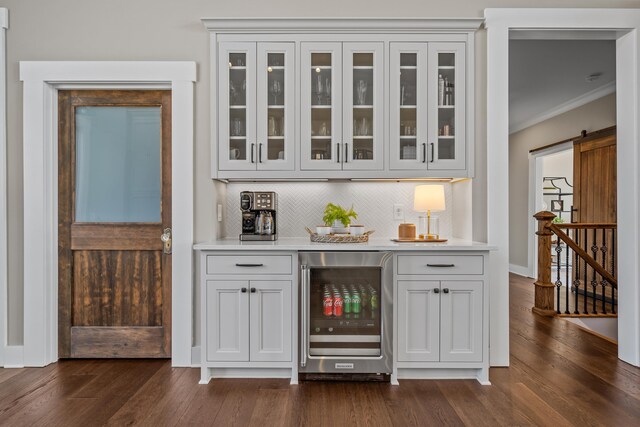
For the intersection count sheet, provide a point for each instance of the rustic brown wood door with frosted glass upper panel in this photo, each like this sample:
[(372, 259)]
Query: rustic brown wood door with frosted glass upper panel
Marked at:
[(114, 203)]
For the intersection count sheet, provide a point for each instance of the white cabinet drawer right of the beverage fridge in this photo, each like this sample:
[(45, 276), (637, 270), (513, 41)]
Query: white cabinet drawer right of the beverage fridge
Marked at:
[(440, 264)]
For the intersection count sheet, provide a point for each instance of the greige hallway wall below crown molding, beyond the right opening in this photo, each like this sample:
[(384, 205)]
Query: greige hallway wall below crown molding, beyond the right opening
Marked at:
[(595, 115)]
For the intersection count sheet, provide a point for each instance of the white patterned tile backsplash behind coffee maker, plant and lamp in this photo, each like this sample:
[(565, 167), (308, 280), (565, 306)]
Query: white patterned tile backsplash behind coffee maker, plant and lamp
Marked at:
[(302, 204)]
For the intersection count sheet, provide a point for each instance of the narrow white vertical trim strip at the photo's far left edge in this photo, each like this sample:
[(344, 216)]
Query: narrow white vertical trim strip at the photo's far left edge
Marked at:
[(4, 24)]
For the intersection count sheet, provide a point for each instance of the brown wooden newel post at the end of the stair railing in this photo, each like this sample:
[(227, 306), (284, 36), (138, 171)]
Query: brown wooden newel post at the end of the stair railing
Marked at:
[(544, 288)]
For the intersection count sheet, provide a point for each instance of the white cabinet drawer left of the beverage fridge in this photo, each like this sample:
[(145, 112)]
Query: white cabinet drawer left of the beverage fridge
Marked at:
[(249, 264)]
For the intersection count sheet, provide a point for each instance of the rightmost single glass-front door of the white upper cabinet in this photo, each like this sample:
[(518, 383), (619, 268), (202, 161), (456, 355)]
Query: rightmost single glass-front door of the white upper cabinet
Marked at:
[(446, 79)]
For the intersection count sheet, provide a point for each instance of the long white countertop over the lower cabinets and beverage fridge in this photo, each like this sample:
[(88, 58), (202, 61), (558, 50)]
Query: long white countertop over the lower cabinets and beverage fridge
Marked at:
[(374, 244)]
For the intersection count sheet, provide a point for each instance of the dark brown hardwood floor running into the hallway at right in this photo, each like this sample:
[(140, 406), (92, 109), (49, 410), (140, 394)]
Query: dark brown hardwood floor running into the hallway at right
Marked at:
[(559, 376)]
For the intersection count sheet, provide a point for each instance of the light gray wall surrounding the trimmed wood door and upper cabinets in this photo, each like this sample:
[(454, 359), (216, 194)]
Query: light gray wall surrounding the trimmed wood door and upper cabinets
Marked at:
[(171, 30)]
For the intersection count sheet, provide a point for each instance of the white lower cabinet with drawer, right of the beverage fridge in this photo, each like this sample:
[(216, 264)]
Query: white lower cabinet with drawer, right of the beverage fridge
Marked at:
[(441, 314)]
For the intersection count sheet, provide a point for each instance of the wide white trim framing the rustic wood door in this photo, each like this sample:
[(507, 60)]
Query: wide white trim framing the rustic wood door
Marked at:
[(41, 81)]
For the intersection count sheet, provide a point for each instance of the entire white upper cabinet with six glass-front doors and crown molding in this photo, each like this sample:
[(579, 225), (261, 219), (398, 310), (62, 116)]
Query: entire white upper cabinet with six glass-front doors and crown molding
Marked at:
[(342, 99)]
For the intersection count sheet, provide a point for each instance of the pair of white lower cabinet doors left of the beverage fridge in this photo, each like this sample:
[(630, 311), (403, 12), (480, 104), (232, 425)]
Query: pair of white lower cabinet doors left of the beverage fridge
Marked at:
[(249, 320)]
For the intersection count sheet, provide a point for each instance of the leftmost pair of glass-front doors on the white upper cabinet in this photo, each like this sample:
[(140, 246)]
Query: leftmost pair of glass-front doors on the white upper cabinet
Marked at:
[(256, 106)]
